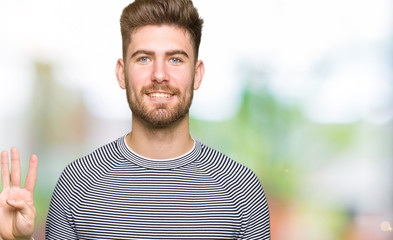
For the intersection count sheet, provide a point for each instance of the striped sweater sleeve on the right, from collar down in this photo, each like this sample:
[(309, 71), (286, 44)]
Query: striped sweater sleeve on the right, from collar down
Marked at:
[(245, 190)]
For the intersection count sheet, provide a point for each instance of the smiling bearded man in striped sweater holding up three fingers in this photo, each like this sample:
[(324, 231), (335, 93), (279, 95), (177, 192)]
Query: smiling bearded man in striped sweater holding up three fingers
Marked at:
[(156, 182)]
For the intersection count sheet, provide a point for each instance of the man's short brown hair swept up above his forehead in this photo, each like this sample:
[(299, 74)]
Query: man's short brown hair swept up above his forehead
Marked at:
[(180, 13)]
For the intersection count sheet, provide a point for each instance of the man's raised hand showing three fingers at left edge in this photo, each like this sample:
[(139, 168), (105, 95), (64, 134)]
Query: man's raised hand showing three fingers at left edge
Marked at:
[(17, 211)]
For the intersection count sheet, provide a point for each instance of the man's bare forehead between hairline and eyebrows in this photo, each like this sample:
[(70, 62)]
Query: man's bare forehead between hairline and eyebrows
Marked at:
[(161, 38)]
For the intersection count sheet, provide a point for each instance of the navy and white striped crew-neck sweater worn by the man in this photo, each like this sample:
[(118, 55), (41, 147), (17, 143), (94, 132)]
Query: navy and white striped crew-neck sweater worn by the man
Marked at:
[(113, 193)]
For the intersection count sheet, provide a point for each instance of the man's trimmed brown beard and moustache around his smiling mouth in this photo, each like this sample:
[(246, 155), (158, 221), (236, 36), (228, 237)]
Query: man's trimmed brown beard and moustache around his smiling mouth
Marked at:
[(159, 115)]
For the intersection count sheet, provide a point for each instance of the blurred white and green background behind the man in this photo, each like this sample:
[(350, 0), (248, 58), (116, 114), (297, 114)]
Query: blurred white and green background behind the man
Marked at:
[(299, 91)]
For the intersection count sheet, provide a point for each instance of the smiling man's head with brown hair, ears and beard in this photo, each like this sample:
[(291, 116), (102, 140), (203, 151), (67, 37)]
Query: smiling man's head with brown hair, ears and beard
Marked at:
[(159, 69)]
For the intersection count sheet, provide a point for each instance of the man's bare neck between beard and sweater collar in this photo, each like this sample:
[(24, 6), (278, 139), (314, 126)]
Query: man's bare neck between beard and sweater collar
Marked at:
[(160, 143)]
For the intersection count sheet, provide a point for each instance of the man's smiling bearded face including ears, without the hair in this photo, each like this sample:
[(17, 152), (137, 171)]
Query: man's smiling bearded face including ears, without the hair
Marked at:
[(160, 74)]
